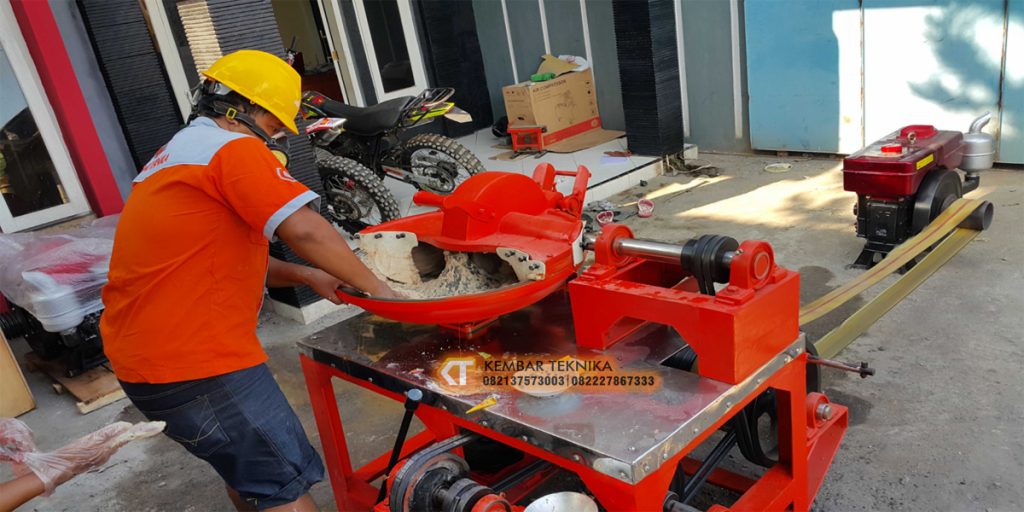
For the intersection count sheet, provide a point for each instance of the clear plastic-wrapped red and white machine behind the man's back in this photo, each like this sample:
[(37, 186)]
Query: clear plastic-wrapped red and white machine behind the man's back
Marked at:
[(58, 278)]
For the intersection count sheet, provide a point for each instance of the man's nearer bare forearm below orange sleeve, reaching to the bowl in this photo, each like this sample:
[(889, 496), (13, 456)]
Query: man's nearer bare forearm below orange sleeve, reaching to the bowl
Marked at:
[(313, 238)]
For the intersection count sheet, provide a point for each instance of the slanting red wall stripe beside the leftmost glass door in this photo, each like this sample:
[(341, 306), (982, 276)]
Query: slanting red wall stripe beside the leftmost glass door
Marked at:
[(48, 51)]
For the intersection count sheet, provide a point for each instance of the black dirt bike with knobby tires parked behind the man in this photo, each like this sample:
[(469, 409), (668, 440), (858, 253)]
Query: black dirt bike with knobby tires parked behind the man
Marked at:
[(358, 147)]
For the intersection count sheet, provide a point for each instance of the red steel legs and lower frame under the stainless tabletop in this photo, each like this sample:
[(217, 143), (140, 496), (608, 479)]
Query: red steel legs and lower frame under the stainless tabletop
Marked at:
[(805, 454)]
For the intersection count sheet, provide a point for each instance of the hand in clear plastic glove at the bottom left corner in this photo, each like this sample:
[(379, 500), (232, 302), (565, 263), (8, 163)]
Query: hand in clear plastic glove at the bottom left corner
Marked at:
[(55, 468)]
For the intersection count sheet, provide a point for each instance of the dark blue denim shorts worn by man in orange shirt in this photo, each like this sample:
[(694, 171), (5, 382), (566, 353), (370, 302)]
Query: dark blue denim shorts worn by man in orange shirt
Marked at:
[(242, 424)]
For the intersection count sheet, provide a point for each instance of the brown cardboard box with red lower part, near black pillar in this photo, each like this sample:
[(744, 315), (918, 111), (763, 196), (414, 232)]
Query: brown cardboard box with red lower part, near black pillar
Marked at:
[(566, 107)]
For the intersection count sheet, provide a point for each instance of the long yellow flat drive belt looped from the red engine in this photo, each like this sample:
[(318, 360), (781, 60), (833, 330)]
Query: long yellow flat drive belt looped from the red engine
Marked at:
[(944, 231)]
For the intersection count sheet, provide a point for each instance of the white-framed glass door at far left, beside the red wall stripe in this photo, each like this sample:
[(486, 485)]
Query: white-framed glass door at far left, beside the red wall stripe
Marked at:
[(38, 183)]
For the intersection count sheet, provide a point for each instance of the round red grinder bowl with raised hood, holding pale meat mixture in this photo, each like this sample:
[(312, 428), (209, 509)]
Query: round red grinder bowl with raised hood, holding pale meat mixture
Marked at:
[(525, 223)]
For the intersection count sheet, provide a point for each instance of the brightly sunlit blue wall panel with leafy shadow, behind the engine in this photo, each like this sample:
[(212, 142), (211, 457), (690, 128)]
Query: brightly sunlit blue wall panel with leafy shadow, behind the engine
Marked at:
[(932, 63)]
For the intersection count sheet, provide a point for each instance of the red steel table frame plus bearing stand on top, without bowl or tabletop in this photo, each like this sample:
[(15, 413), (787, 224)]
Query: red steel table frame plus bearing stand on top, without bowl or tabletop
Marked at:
[(740, 334)]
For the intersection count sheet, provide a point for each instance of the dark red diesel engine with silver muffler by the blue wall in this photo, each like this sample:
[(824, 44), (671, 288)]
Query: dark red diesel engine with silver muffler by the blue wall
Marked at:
[(909, 178)]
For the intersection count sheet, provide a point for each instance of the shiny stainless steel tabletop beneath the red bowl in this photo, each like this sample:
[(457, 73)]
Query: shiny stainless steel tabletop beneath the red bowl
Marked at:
[(627, 436)]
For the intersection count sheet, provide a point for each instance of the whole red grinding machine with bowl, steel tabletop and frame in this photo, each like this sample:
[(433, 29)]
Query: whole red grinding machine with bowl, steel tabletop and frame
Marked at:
[(712, 323)]
